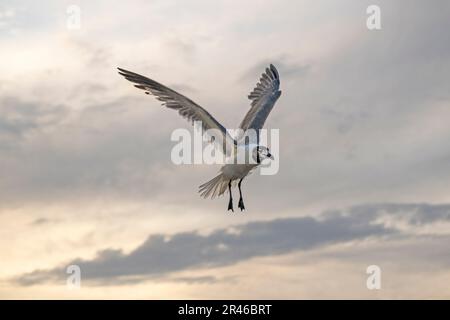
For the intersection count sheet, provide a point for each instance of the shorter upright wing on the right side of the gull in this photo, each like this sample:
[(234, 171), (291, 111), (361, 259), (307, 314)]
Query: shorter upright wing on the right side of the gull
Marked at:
[(263, 98)]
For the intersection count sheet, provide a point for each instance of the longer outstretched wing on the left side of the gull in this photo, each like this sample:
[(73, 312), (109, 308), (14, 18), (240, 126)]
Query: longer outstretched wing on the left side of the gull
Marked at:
[(185, 106)]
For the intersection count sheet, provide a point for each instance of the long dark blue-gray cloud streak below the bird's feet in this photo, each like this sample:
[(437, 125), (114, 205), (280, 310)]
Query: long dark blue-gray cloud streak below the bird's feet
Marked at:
[(162, 254)]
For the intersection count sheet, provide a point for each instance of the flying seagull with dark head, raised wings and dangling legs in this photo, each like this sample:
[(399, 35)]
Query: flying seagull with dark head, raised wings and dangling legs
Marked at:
[(263, 98)]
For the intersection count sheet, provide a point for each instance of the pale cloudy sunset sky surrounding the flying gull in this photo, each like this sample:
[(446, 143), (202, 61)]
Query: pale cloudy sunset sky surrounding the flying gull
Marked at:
[(86, 176)]
